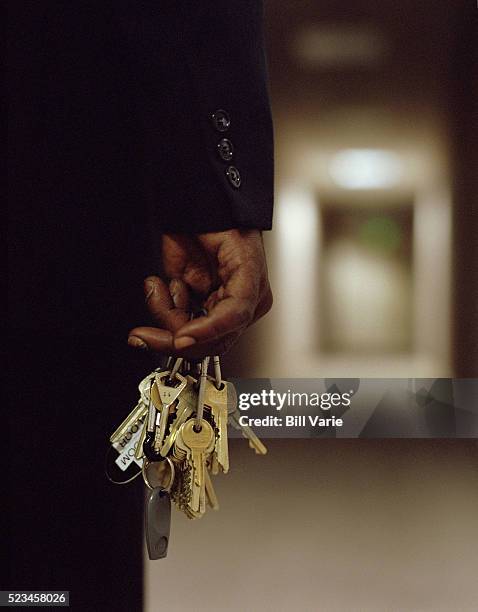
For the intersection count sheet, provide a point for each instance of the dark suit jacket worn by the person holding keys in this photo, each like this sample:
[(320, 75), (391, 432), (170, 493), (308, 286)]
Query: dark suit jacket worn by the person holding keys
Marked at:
[(115, 137)]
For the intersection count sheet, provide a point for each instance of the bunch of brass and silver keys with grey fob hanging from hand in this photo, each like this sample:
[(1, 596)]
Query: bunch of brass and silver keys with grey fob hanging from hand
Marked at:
[(176, 437)]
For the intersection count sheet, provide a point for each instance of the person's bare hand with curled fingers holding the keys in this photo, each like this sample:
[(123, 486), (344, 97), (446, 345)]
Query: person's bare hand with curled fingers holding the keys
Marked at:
[(223, 272)]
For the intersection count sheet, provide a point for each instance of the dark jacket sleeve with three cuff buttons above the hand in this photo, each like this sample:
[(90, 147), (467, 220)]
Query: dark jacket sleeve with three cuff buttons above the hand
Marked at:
[(207, 140)]
